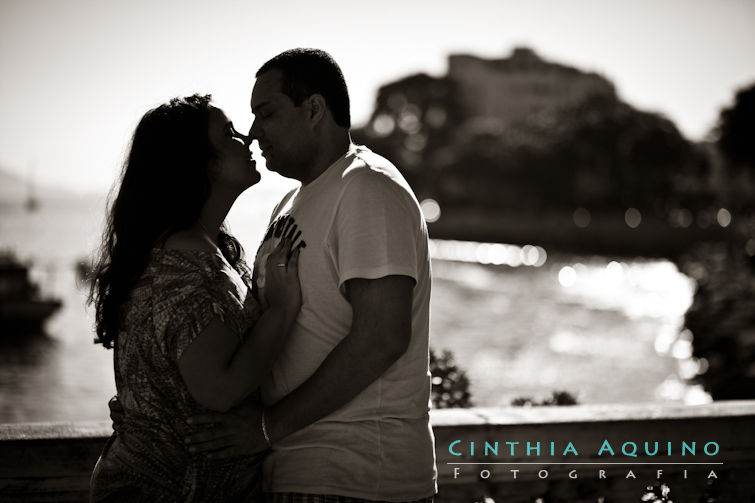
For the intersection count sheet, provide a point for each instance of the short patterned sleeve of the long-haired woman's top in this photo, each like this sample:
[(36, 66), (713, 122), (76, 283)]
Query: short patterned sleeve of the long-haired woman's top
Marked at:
[(190, 316)]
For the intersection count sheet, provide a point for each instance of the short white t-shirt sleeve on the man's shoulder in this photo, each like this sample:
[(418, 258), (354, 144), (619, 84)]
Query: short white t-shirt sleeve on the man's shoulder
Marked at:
[(375, 230)]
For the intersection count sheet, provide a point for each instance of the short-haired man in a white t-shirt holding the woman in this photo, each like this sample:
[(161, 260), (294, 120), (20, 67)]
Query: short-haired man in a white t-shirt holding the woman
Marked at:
[(347, 402)]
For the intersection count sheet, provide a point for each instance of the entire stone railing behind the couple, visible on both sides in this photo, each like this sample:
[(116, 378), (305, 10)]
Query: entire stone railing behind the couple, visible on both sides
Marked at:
[(585, 454)]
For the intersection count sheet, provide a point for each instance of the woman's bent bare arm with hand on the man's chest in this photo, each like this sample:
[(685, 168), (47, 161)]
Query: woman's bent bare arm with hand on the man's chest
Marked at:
[(218, 371)]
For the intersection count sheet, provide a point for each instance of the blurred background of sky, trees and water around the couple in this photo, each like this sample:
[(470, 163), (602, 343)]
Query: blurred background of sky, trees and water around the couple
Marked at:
[(586, 168)]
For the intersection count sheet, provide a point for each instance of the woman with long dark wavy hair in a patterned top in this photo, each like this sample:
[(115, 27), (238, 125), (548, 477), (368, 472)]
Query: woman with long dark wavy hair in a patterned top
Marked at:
[(173, 297)]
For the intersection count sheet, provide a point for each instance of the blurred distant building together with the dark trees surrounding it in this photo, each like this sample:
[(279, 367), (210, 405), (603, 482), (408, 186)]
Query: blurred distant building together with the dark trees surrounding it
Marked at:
[(521, 133)]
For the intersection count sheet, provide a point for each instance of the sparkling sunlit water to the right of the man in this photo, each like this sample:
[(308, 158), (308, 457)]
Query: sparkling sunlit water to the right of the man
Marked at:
[(611, 336)]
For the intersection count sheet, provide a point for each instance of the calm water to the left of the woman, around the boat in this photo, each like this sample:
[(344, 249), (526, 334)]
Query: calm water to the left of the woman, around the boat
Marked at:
[(61, 376)]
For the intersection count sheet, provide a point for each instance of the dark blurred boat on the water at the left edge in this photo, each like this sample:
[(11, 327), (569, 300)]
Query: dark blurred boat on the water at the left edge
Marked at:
[(22, 308)]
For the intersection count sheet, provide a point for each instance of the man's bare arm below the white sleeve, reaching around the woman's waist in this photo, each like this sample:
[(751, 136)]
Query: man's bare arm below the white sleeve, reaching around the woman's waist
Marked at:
[(380, 332)]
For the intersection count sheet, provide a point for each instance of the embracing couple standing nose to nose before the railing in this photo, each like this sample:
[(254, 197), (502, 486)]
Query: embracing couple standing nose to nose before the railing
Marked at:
[(305, 377)]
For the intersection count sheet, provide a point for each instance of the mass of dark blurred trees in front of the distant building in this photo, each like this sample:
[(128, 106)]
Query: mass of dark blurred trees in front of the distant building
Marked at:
[(598, 152)]
